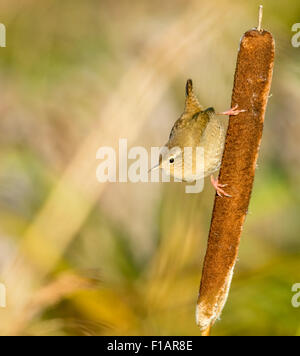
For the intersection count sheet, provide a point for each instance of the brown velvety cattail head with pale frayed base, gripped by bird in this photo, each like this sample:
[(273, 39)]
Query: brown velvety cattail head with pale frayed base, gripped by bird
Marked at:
[(251, 91)]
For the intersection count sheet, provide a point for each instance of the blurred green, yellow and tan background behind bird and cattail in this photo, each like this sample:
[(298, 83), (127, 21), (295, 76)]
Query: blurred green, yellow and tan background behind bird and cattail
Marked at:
[(83, 258)]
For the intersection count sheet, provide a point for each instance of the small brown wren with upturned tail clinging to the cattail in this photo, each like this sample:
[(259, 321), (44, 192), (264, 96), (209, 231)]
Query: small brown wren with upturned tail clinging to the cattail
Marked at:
[(196, 128)]
